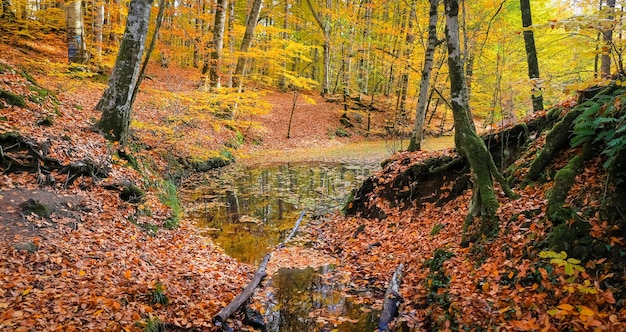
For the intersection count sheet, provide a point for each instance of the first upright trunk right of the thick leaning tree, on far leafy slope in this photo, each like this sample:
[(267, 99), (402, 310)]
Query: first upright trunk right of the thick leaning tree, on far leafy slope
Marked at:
[(218, 45)]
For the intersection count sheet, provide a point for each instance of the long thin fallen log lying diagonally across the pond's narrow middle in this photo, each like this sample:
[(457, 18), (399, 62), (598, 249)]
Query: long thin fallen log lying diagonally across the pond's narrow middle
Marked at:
[(220, 318)]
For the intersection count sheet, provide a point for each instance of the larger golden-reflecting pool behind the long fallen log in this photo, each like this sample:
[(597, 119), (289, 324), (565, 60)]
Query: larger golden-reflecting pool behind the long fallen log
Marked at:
[(249, 210)]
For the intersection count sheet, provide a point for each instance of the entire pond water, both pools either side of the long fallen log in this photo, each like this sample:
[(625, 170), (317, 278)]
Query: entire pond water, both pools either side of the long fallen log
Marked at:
[(250, 210)]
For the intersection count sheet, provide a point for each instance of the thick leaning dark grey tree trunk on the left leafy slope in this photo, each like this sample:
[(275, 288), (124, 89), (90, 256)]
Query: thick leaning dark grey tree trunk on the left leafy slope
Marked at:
[(116, 102)]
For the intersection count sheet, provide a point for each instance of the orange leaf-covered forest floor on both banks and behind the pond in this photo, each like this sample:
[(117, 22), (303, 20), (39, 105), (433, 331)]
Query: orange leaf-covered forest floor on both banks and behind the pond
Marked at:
[(77, 252)]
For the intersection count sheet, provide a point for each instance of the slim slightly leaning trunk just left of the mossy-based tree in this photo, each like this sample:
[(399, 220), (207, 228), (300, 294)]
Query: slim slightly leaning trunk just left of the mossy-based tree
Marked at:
[(415, 142)]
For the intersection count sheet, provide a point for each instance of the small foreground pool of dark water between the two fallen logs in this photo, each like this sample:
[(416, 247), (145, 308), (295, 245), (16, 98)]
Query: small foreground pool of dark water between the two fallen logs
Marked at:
[(304, 300)]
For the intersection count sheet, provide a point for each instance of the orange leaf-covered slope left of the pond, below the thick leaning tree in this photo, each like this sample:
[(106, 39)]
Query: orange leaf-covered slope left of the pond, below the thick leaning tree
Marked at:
[(82, 264)]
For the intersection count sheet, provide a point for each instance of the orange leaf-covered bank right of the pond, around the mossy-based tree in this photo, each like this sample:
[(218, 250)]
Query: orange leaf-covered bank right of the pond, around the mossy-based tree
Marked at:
[(513, 282)]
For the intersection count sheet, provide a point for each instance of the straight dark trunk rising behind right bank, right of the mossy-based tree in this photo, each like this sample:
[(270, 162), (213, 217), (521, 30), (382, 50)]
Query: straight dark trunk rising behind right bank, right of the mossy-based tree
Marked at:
[(531, 55)]
